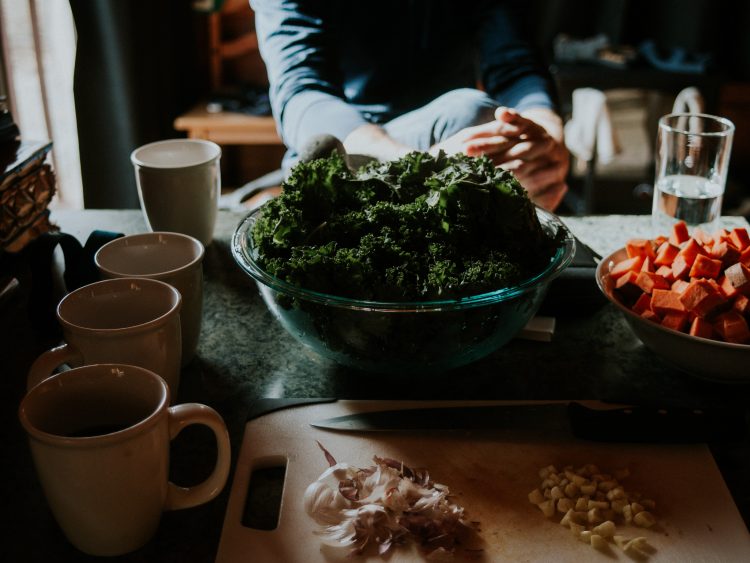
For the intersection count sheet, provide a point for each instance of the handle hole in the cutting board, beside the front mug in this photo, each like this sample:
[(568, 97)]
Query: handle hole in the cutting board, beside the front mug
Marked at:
[(263, 500)]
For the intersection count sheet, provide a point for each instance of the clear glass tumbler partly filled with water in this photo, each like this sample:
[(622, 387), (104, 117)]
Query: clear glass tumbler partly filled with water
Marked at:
[(692, 160)]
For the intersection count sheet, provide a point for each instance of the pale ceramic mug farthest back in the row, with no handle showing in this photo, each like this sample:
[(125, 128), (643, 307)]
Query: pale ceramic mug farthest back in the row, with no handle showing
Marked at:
[(179, 183)]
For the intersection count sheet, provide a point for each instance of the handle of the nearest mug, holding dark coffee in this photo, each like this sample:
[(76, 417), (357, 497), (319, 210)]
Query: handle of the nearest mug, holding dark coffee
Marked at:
[(184, 415)]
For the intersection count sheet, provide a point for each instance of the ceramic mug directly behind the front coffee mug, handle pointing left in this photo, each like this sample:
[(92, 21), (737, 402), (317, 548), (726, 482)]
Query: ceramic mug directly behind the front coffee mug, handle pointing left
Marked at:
[(126, 320)]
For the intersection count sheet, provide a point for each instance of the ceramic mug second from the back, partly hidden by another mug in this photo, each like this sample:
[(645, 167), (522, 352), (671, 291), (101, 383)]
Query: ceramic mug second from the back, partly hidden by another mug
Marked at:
[(173, 258)]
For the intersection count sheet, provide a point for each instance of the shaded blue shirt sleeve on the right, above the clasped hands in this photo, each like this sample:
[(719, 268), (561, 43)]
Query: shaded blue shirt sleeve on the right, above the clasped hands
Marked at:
[(510, 68)]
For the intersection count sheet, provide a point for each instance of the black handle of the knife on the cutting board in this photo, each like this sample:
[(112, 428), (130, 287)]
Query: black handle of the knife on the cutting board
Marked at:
[(657, 425)]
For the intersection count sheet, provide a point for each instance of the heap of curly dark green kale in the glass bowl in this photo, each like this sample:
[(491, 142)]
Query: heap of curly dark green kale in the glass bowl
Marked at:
[(417, 228)]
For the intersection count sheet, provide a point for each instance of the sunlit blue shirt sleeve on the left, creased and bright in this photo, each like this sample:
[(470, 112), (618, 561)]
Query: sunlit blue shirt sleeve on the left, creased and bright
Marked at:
[(305, 88)]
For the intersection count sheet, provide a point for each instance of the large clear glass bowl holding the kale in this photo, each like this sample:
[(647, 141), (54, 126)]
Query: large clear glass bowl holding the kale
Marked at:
[(403, 337)]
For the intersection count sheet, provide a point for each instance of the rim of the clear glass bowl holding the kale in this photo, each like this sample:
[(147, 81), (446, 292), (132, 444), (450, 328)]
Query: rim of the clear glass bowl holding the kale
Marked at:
[(243, 255)]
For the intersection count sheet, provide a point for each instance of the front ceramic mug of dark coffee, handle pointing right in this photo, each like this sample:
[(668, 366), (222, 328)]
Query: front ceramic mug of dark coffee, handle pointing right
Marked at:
[(100, 437)]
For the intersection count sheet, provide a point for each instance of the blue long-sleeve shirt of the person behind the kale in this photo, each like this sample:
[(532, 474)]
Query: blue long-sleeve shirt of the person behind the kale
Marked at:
[(334, 65)]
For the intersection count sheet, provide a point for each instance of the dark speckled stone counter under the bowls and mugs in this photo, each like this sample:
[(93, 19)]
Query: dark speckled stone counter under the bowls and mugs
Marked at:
[(244, 354)]
